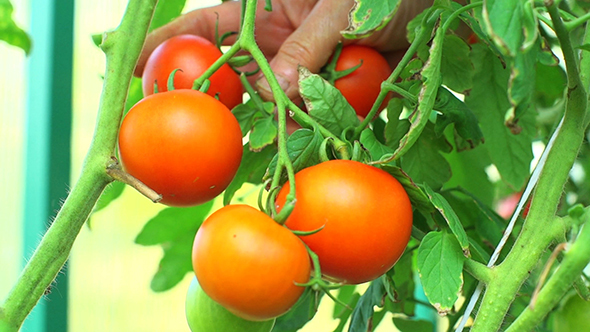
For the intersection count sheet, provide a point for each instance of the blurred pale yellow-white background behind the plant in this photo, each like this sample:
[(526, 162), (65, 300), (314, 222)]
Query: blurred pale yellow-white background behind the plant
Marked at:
[(109, 275)]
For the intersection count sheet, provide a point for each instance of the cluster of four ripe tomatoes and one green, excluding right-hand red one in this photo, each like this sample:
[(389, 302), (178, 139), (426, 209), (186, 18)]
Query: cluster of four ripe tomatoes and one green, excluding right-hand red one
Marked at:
[(187, 146)]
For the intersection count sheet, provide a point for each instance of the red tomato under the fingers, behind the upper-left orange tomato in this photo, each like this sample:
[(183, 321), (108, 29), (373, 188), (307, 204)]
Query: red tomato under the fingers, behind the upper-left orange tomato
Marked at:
[(193, 55)]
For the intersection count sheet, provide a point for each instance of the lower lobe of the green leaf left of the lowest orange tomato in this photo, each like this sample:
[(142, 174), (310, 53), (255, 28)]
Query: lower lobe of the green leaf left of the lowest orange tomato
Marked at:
[(175, 264)]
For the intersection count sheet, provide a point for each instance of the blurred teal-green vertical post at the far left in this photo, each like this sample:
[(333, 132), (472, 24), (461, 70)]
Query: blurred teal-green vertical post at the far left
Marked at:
[(49, 120)]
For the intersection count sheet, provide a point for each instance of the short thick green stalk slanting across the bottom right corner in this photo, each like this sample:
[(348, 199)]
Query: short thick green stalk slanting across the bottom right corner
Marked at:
[(570, 269)]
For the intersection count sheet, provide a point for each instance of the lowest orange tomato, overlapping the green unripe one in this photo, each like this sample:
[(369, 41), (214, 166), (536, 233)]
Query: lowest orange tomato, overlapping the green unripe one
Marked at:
[(250, 264)]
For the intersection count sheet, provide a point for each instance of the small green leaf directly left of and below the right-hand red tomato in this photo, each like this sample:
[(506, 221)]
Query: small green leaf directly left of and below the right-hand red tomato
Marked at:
[(325, 103)]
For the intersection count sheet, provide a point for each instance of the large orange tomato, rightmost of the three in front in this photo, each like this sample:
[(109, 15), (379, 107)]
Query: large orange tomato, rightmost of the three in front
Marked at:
[(366, 214)]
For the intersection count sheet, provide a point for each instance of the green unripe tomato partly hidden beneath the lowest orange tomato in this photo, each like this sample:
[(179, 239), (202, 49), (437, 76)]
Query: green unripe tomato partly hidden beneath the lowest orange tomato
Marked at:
[(205, 315)]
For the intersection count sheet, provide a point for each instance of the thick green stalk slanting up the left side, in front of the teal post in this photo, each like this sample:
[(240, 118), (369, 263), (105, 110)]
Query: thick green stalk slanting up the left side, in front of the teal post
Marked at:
[(122, 48)]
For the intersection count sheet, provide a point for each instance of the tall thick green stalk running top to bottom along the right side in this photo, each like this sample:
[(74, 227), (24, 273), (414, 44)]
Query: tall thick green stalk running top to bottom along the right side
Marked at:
[(540, 229)]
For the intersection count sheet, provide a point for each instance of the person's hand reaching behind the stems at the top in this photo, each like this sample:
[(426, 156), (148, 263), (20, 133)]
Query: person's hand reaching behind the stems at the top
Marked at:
[(295, 32)]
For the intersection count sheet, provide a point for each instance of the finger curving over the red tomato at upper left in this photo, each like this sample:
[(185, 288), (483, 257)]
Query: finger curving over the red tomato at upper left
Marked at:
[(199, 22)]
